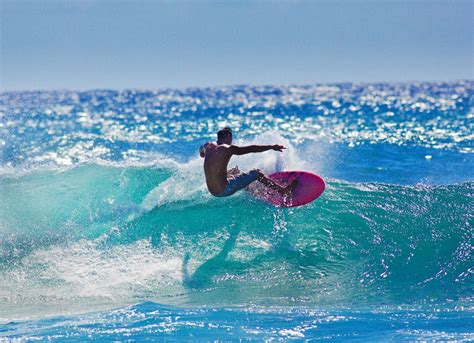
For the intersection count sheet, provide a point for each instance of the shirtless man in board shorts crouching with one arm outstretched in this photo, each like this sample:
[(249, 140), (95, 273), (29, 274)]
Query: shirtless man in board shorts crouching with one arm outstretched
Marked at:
[(220, 181)]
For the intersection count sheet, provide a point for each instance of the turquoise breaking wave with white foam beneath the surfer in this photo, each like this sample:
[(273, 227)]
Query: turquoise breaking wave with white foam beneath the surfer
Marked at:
[(88, 236)]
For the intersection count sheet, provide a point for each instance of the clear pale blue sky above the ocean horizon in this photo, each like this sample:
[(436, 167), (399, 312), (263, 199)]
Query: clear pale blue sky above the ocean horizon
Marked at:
[(58, 44)]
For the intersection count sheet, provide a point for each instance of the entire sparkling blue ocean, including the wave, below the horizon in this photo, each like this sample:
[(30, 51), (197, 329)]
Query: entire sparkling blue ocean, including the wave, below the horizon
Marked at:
[(107, 230)]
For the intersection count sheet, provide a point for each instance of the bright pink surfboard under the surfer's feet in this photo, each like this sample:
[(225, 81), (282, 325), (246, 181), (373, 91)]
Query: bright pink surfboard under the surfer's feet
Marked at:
[(309, 187)]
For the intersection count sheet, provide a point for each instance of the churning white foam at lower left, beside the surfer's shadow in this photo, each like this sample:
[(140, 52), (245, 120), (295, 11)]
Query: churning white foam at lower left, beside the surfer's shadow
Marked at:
[(62, 278)]
